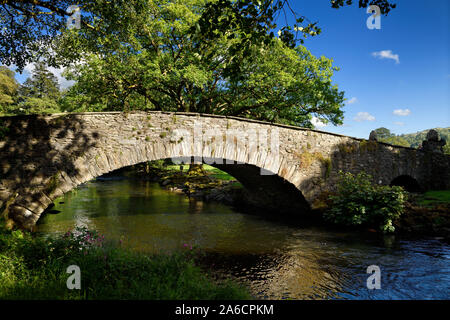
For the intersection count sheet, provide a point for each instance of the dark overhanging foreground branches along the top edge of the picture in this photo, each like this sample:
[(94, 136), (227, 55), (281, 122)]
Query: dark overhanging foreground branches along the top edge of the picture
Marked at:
[(28, 28)]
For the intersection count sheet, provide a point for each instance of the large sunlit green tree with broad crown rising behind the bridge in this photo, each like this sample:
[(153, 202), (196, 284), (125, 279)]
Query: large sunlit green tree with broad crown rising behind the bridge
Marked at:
[(160, 66)]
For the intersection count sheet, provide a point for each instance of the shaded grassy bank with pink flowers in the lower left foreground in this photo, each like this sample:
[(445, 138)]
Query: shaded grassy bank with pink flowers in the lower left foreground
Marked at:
[(35, 268)]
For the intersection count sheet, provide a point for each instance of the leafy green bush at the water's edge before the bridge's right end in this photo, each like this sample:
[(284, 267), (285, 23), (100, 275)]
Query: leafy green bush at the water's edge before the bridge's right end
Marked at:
[(359, 202)]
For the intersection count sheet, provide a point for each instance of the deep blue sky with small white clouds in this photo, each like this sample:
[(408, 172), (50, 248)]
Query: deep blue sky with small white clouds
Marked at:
[(396, 77)]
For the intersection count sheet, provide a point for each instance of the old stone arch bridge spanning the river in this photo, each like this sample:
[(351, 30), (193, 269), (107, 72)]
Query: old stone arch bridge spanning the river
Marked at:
[(42, 157)]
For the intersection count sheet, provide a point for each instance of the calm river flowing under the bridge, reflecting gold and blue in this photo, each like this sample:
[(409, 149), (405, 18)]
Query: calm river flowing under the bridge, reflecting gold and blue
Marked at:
[(274, 259)]
